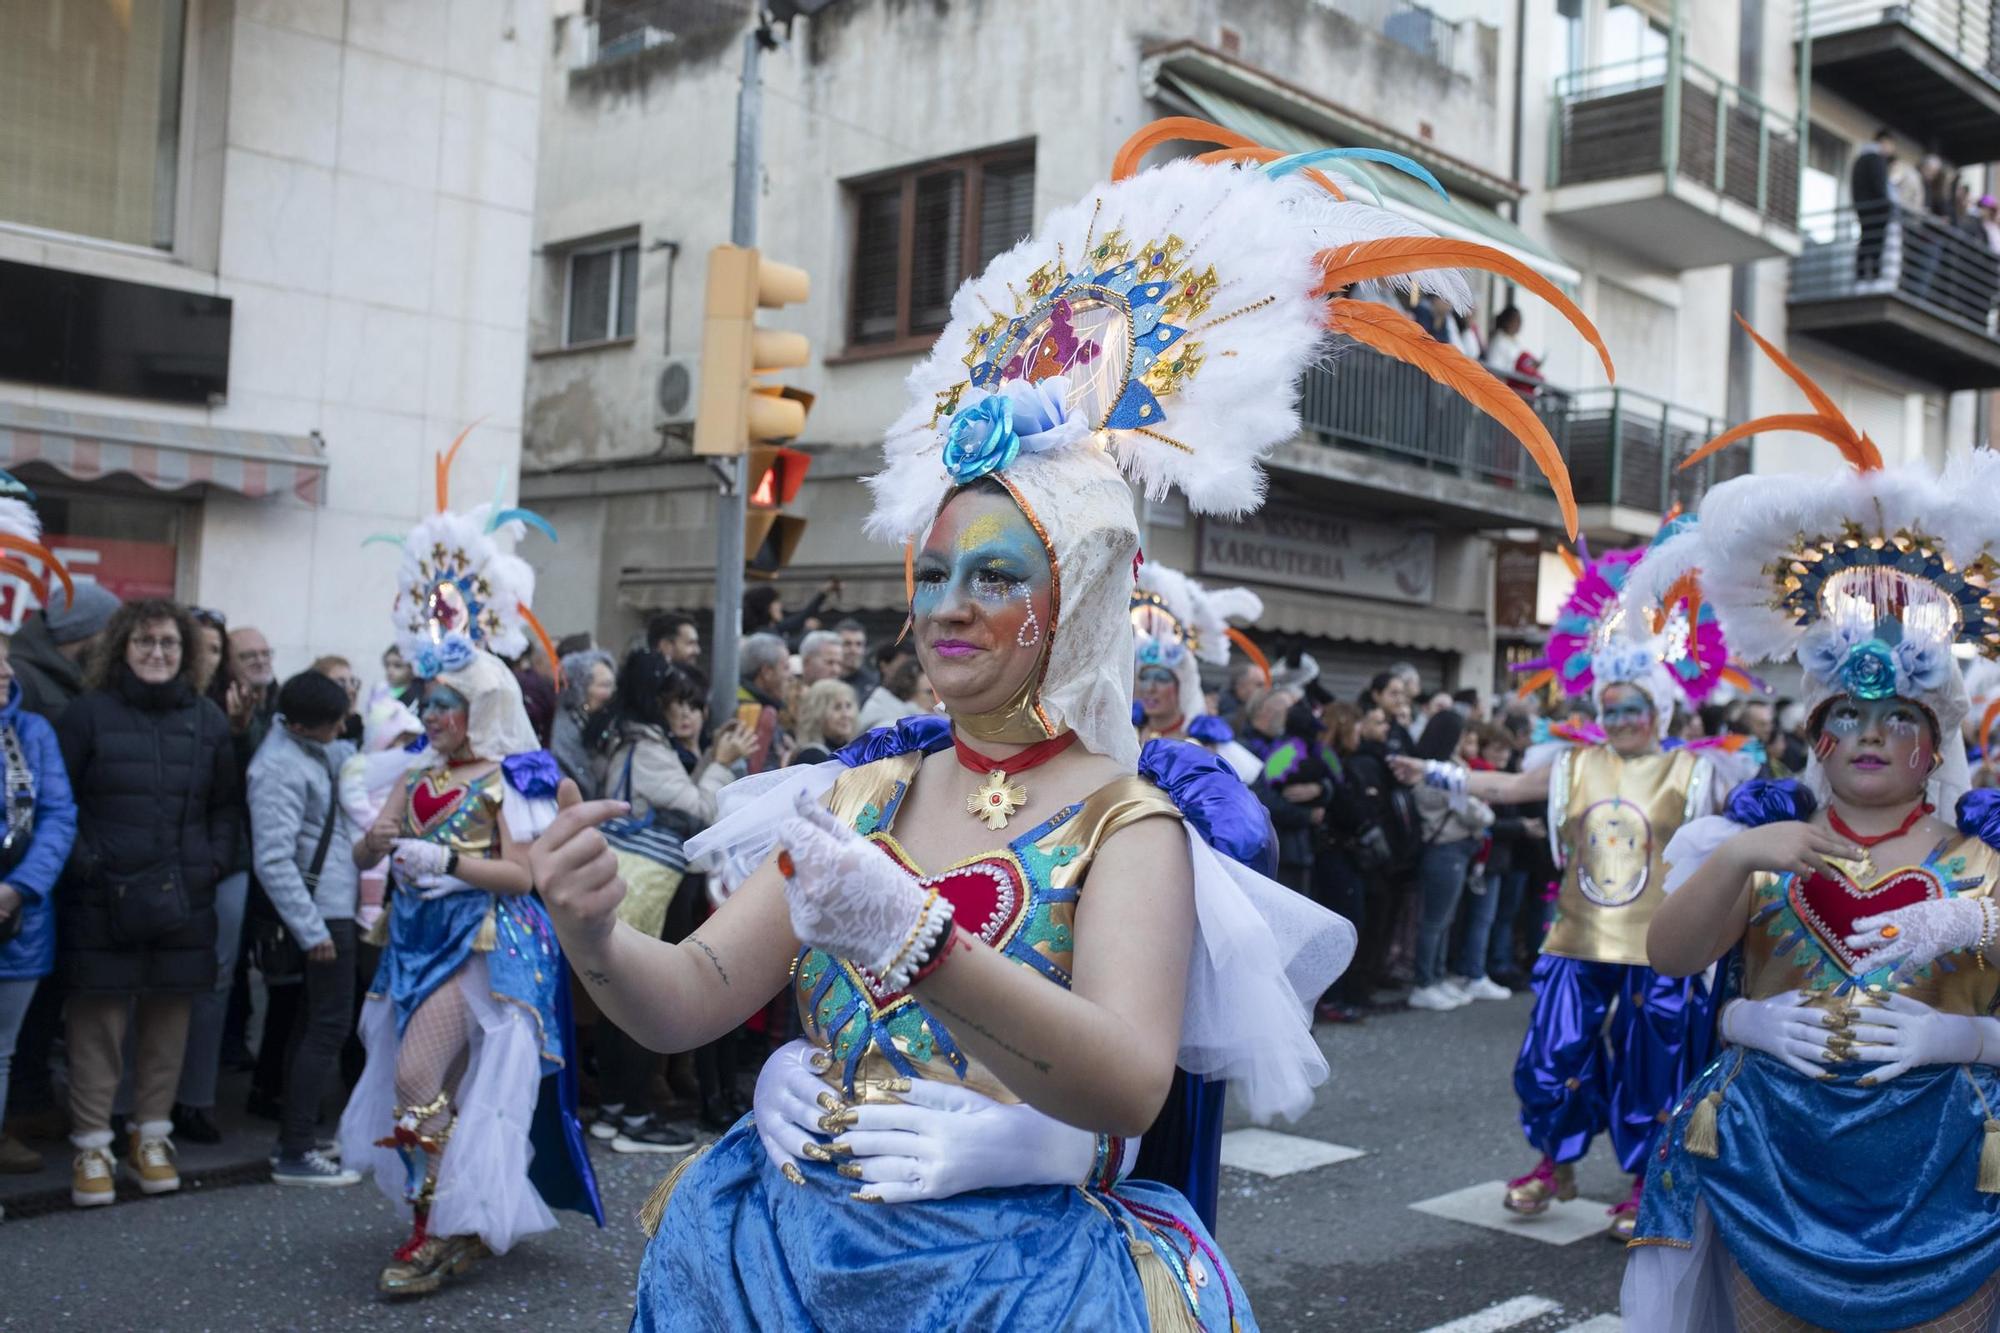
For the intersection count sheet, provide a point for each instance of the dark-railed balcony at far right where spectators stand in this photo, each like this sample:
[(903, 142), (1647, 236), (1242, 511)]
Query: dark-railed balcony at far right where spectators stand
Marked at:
[(1905, 291)]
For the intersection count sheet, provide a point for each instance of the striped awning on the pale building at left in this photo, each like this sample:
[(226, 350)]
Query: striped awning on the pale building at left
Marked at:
[(165, 453)]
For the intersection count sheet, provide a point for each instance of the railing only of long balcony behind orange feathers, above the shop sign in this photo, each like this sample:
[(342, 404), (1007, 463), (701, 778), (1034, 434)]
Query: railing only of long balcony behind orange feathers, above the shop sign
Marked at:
[(1623, 447)]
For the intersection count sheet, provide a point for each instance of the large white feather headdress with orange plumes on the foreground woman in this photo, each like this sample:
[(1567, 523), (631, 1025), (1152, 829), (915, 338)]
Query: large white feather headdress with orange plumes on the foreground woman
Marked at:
[(1159, 331)]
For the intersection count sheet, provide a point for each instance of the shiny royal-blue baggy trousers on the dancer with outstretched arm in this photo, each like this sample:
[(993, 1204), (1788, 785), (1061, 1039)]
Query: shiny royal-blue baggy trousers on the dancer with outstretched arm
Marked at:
[(1609, 1048)]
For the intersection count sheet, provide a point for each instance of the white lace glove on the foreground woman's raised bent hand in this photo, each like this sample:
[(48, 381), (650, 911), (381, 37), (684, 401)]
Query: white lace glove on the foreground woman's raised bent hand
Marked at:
[(853, 902)]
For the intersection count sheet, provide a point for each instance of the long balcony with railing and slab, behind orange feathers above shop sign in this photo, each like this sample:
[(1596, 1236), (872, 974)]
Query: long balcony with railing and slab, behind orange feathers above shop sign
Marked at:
[(1623, 447)]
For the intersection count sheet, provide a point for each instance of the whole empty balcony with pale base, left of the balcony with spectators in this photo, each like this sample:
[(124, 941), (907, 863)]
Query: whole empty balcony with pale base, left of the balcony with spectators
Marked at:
[(1673, 163)]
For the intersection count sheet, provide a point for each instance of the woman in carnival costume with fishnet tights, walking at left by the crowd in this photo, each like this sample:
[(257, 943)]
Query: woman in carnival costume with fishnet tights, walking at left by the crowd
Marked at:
[(469, 1014)]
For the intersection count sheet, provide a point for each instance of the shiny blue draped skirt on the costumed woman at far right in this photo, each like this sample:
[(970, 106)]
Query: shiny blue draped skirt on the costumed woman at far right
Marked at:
[(1851, 1208)]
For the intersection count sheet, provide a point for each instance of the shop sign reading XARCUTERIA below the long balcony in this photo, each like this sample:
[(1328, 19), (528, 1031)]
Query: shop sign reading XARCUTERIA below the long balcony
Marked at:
[(1323, 553)]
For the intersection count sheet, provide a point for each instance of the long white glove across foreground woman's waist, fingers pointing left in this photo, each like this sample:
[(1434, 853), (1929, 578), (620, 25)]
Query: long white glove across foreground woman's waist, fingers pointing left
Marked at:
[(947, 1140)]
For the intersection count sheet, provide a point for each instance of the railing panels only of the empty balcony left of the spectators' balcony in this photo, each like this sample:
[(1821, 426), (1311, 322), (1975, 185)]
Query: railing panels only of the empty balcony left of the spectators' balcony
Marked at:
[(1665, 113)]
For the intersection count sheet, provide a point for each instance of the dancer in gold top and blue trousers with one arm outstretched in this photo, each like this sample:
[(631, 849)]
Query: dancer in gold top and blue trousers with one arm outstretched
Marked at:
[(1611, 1042)]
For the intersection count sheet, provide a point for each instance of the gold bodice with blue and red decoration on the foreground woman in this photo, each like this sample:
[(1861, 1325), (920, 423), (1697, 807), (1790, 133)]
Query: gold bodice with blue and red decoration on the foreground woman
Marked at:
[(875, 1040)]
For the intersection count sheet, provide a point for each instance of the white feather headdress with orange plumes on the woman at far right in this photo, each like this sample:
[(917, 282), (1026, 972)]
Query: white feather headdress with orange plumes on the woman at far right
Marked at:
[(1867, 577)]
